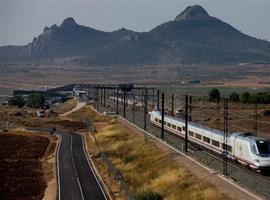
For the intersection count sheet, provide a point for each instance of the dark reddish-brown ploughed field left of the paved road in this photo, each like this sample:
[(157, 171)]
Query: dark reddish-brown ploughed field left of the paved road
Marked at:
[(25, 170)]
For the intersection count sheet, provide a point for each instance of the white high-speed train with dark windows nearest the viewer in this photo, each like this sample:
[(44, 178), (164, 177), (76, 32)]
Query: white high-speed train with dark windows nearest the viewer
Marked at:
[(249, 150)]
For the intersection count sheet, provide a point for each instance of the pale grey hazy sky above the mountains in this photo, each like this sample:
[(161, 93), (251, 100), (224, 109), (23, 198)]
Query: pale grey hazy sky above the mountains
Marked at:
[(21, 20)]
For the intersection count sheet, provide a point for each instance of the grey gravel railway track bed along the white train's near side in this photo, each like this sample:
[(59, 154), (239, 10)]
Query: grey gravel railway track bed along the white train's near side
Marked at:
[(245, 177)]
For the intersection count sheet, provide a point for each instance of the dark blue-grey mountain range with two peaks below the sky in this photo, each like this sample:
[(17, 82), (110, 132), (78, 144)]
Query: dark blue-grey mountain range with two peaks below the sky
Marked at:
[(192, 37)]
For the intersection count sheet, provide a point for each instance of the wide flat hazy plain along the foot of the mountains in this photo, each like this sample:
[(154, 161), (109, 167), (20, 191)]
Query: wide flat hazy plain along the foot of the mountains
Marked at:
[(35, 76)]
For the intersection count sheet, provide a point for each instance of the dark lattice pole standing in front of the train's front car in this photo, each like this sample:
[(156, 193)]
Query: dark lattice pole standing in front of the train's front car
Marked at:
[(225, 136)]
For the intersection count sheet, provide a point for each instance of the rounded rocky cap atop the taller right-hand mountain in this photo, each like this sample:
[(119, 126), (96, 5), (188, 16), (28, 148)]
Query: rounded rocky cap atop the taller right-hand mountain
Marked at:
[(192, 12)]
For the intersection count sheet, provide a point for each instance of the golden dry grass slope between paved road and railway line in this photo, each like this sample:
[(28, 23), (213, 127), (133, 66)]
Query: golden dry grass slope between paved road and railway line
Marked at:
[(146, 167)]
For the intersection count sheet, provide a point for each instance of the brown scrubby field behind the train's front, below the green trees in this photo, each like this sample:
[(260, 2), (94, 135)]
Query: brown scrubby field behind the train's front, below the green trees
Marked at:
[(241, 117)]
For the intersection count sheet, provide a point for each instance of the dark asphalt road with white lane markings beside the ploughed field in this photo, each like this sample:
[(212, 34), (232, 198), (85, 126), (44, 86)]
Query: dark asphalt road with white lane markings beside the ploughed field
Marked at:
[(76, 179)]
